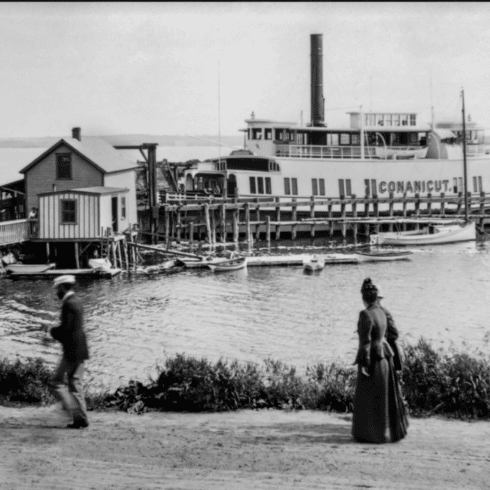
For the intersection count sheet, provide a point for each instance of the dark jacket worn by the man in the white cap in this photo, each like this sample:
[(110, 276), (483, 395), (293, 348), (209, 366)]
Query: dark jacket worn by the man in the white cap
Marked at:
[(70, 331)]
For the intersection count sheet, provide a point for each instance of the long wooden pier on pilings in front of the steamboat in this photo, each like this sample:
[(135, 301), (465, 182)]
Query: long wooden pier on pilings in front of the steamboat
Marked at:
[(215, 220)]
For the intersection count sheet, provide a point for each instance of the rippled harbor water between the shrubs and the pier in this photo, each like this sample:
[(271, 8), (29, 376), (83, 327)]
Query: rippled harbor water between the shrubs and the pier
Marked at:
[(134, 322)]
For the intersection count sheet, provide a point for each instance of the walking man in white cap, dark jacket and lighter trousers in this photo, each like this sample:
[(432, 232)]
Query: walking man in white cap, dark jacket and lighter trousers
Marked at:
[(71, 335)]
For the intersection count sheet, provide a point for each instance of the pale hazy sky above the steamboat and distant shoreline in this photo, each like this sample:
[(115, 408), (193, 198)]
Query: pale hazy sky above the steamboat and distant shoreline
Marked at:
[(202, 68)]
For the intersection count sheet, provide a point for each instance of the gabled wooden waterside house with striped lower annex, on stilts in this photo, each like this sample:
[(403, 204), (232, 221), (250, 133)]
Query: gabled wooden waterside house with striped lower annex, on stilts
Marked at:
[(85, 192)]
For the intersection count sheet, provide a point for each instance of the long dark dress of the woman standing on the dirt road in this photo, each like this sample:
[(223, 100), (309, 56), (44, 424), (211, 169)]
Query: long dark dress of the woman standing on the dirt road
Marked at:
[(379, 412)]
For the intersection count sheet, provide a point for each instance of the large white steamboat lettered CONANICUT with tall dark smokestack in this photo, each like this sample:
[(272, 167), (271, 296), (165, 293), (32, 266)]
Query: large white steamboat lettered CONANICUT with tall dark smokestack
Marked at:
[(379, 154)]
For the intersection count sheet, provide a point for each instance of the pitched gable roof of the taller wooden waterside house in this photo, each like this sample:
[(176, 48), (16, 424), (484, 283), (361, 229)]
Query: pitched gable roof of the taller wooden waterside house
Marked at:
[(94, 150)]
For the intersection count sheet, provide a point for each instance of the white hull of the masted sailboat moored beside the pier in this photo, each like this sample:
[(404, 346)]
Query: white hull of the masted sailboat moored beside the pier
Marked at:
[(453, 235)]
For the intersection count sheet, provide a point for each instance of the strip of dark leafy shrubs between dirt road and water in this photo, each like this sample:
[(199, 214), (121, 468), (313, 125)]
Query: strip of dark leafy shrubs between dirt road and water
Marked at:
[(451, 383)]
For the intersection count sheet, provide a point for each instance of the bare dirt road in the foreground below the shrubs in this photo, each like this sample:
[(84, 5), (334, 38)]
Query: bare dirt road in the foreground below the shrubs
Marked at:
[(247, 449)]
